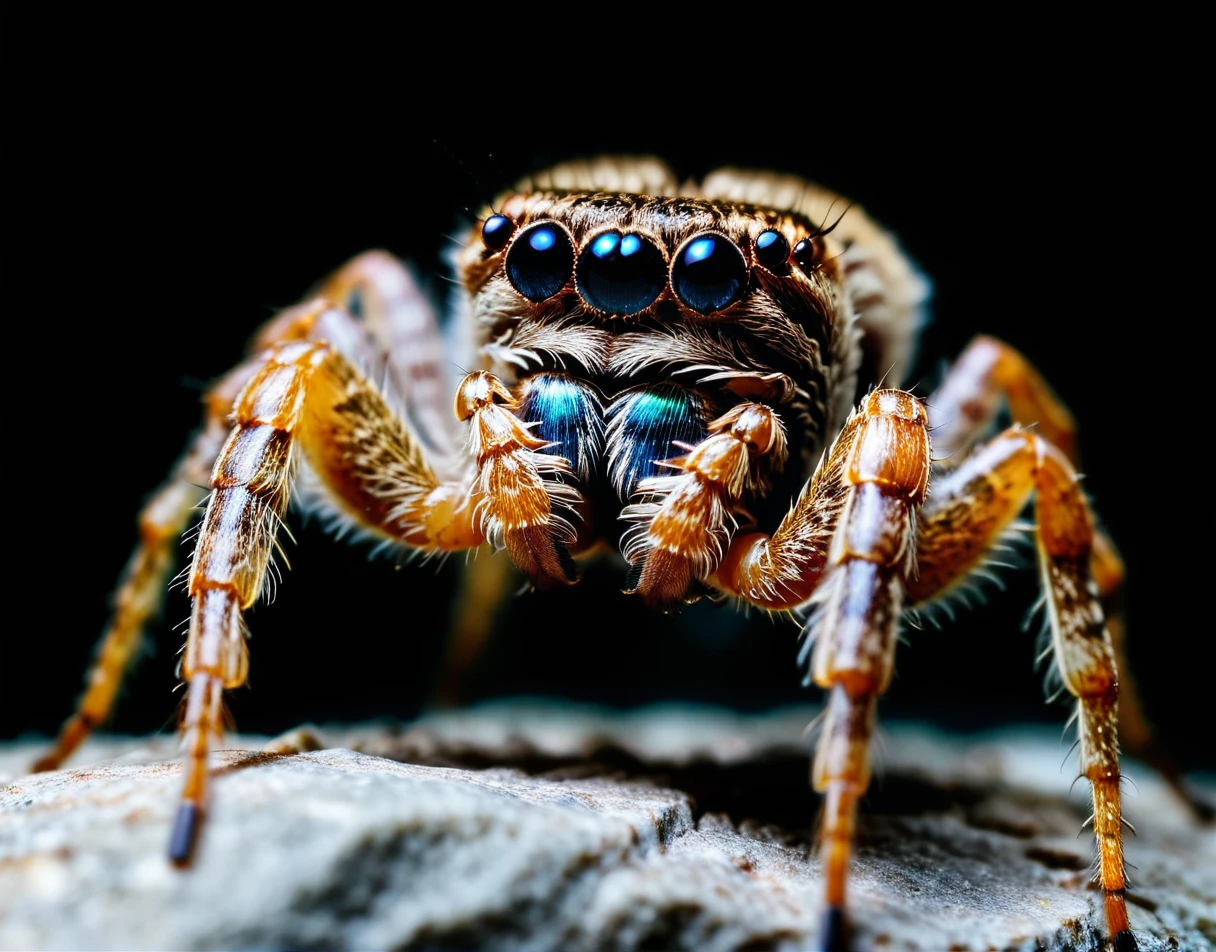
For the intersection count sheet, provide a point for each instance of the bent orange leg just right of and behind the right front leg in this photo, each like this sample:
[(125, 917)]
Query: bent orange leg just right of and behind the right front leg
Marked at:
[(965, 516)]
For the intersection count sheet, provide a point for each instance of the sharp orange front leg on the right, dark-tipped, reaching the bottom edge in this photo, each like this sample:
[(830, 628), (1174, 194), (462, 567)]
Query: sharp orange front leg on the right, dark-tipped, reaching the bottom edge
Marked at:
[(848, 542)]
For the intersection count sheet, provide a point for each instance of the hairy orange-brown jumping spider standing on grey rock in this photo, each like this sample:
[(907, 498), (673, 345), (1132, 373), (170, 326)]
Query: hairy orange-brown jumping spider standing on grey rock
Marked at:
[(686, 375)]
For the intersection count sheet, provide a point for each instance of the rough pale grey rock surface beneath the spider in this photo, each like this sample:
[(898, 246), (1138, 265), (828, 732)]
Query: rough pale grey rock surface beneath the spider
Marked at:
[(550, 829)]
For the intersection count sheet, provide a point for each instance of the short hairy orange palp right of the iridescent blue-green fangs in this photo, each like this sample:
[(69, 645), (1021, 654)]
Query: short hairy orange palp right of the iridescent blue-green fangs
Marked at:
[(684, 529)]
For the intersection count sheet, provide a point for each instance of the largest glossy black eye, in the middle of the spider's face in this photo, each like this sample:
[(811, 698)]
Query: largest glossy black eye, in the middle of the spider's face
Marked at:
[(621, 274)]
